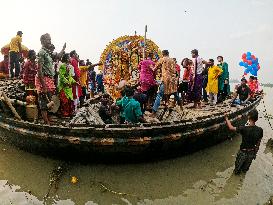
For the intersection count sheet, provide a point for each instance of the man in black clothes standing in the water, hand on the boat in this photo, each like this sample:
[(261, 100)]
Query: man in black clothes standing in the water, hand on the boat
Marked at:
[(251, 139)]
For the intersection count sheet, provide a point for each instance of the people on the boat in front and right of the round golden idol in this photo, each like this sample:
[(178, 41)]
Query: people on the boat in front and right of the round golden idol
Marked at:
[(202, 81)]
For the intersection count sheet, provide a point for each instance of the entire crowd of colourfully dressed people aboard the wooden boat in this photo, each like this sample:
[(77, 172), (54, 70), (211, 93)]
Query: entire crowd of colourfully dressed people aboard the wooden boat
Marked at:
[(66, 75)]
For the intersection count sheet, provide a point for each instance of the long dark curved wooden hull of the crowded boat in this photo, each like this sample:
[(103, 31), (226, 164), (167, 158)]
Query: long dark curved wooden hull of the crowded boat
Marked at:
[(120, 142)]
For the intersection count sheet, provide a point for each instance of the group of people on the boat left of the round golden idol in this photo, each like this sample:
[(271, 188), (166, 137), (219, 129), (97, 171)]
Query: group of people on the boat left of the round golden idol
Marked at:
[(50, 73)]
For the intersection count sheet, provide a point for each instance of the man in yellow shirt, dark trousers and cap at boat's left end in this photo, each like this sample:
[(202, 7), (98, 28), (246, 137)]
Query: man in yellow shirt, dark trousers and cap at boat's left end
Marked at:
[(15, 49)]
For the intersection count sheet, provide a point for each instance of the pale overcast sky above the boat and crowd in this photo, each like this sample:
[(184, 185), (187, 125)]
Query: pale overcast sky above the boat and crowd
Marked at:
[(214, 27)]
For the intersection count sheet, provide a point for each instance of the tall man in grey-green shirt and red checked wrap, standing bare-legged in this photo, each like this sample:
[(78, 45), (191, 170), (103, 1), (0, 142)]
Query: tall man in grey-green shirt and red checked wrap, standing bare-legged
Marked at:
[(44, 80)]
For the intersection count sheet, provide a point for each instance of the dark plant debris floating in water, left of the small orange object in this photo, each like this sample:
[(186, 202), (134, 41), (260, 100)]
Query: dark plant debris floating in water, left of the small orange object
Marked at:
[(55, 177)]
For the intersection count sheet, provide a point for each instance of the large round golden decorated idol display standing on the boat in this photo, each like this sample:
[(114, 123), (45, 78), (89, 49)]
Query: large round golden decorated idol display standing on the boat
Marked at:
[(121, 58)]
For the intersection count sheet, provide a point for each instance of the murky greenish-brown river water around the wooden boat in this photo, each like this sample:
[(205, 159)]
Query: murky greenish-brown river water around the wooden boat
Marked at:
[(204, 177)]
